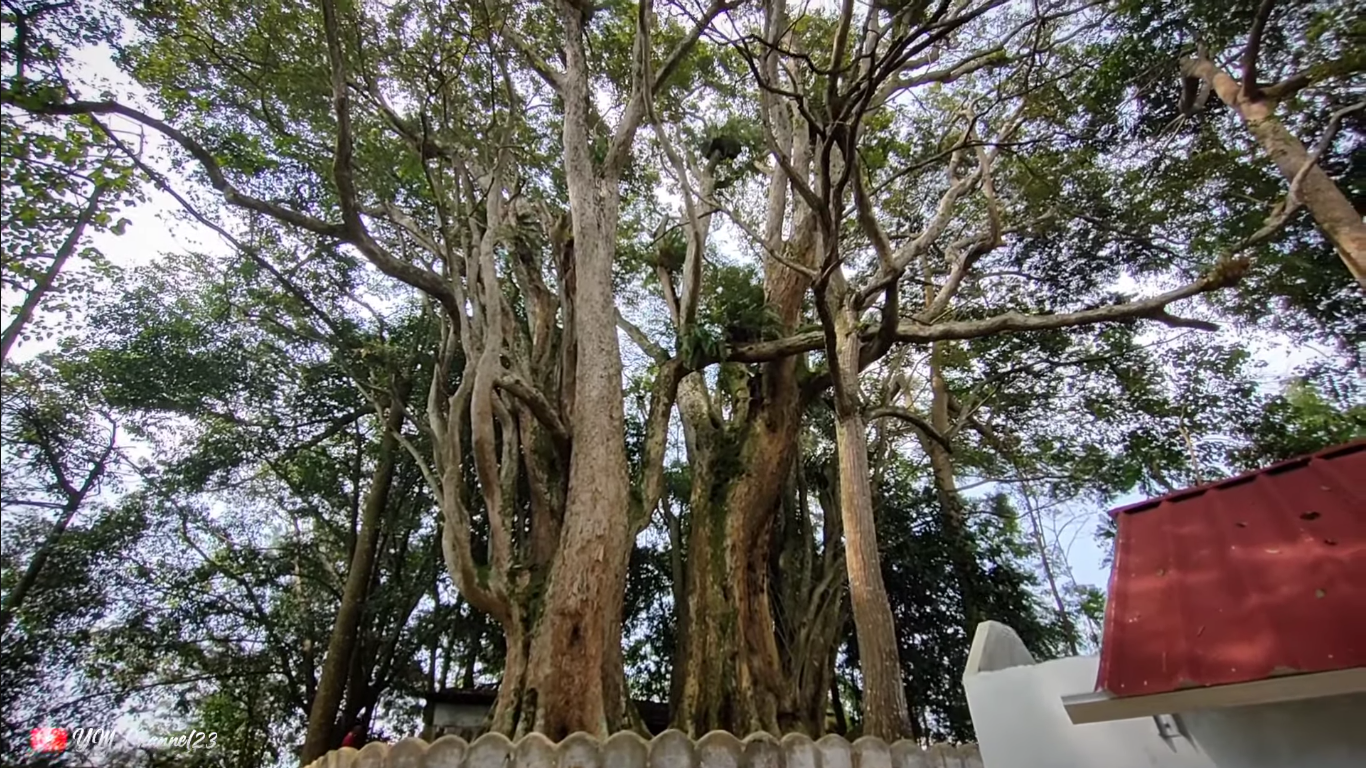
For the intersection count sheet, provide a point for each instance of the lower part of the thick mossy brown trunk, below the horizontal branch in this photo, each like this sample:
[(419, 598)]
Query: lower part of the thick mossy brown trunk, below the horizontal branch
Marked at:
[(731, 668)]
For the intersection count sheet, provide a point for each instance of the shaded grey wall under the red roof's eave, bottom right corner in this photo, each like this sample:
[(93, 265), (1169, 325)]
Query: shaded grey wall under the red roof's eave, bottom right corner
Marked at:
[(1322, 733)]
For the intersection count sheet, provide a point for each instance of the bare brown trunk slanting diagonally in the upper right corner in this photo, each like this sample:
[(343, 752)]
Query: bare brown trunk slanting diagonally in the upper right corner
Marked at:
[(1326, 203)]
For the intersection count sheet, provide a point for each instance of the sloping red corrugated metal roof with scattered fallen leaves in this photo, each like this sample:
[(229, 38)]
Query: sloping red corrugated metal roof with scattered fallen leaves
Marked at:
[(1252, 577)]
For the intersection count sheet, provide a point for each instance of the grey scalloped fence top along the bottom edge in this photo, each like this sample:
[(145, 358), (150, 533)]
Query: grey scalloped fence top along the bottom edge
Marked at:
[(671, 750)]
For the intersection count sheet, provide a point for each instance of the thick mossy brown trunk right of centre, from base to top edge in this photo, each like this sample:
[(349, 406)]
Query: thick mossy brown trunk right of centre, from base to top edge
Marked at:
[(731, 674)]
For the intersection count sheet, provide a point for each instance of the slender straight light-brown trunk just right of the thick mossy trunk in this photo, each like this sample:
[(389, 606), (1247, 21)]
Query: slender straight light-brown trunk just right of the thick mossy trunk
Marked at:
[(886, 714)]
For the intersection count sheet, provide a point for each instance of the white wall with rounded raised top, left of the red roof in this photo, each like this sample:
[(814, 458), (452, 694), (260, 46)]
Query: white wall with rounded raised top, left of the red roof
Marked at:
[(1018, 714)]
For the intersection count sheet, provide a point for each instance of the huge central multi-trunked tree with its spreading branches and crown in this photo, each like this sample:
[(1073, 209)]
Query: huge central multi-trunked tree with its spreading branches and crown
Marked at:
[(782, 208)]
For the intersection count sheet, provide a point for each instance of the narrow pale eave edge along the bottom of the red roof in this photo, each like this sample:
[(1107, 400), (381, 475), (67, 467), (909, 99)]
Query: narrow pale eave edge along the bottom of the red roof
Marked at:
[(1103, 707)]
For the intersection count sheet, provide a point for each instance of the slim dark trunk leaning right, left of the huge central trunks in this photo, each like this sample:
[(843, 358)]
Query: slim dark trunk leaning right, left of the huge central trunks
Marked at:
[(335, 669)]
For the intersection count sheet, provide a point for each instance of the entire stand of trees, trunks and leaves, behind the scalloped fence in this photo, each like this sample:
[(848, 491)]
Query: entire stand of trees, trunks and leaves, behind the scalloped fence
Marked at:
[(737, 356)]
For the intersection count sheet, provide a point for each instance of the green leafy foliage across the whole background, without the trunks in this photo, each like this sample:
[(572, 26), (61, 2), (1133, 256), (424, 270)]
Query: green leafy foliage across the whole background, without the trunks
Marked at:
[(206, 584)]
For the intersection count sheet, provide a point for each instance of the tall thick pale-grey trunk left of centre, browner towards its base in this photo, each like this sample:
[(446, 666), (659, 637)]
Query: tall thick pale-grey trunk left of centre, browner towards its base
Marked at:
[(570, 658)]
